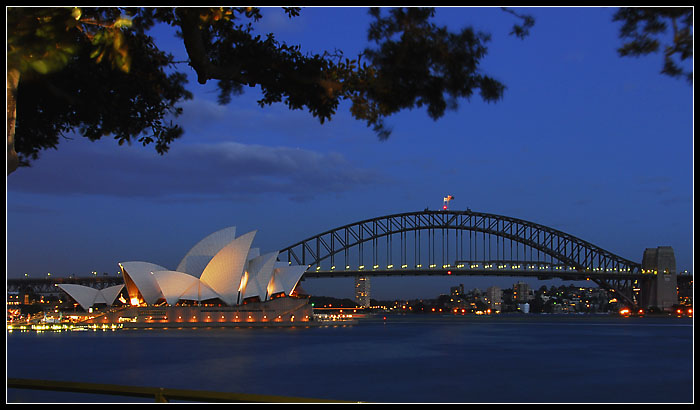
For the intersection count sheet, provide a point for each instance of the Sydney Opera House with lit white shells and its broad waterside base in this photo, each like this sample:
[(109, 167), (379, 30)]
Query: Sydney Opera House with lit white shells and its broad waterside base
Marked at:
[(221, 281)]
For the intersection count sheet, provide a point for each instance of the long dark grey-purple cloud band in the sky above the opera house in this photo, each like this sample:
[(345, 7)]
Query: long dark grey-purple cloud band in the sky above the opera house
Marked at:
[(212, 171)]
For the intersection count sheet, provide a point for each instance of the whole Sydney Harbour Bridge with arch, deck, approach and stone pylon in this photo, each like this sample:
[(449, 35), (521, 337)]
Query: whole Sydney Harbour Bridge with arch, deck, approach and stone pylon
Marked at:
[(451, 242)]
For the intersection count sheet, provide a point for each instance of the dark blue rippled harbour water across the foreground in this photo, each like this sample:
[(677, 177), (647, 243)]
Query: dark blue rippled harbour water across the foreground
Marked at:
[(409, 359)]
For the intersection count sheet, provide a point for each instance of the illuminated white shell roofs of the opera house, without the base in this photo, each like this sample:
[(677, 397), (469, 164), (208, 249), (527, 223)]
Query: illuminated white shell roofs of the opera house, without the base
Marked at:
[(219, 266)]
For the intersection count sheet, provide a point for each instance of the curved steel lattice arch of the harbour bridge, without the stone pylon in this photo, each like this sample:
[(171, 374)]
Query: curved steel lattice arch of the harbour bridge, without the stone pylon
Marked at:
[(502, 238)]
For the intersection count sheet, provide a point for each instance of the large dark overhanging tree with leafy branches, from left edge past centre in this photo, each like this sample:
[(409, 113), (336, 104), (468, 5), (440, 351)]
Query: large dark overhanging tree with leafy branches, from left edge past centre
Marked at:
[(96, 71)]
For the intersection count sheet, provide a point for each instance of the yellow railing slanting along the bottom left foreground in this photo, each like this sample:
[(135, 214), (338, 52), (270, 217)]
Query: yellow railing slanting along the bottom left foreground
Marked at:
[(159, 394)]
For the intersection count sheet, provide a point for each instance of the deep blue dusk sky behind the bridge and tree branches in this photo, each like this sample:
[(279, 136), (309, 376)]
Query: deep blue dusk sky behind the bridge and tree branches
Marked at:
[(584, 141)]
